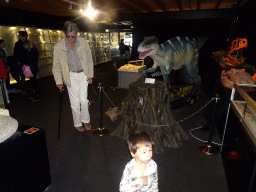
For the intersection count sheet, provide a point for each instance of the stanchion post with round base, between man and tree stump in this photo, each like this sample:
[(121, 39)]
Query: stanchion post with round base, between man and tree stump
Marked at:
[(101, 130)]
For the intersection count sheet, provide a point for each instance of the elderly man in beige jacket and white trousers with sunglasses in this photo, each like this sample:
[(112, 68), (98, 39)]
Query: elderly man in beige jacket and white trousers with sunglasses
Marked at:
[(73, 66)]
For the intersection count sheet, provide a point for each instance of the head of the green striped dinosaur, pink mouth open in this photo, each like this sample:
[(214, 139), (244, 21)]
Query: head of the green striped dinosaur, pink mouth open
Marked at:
[(148, 47)]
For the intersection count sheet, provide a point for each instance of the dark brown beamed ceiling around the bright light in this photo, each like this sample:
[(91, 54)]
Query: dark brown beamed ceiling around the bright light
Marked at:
[(122, 11)]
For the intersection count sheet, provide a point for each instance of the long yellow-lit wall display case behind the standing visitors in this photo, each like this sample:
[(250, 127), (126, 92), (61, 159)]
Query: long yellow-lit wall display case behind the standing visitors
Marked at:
[(45, 39)]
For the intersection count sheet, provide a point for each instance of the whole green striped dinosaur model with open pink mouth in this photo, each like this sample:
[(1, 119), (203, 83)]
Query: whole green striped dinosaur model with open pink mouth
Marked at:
[(173, 54)]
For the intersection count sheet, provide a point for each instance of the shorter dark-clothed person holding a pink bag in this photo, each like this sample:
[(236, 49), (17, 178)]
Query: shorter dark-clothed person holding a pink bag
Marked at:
[(32, 61)]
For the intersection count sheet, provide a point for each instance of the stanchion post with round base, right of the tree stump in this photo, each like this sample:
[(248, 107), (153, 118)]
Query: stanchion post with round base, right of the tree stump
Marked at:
[(211, 149)]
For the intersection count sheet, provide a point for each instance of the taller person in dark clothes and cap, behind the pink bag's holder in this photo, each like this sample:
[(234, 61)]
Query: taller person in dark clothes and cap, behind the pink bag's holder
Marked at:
[(20, 58)]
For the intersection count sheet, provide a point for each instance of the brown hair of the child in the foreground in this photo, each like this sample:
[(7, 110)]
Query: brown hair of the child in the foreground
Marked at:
[(136, 138)]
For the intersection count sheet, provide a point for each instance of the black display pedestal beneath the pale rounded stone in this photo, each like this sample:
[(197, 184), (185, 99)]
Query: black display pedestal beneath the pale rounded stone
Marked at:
[(24, 162)]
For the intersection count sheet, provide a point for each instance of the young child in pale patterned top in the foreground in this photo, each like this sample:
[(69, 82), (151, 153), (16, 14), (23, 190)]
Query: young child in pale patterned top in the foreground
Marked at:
[(140, 174)]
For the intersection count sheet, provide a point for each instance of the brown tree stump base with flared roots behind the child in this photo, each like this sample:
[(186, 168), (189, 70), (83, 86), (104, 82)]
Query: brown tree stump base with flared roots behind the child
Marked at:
[(147, 108)]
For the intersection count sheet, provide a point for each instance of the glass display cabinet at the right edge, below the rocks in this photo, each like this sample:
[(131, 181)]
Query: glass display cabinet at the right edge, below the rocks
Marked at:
[(243, 103)]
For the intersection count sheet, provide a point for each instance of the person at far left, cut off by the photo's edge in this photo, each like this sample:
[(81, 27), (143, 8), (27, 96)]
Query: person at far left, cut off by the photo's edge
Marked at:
[(4, 60)]
